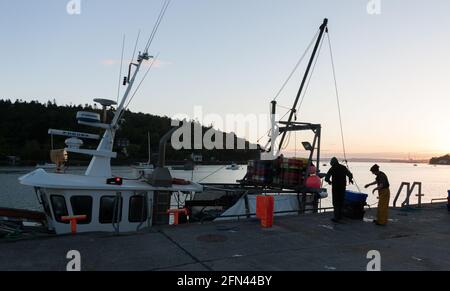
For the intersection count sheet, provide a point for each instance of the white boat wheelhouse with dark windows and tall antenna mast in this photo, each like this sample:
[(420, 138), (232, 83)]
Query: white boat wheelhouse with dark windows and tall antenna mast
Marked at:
[(97, 200)]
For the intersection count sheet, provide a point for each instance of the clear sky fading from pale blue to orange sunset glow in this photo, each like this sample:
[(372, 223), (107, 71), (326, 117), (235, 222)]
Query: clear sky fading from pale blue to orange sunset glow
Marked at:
[(231, 56)]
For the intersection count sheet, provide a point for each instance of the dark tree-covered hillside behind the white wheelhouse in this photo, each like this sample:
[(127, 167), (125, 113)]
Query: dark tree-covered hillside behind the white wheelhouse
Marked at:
[(24, 126)]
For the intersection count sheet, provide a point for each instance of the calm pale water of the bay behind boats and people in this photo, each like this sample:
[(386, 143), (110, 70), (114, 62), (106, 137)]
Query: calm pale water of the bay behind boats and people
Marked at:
[(435, 181)]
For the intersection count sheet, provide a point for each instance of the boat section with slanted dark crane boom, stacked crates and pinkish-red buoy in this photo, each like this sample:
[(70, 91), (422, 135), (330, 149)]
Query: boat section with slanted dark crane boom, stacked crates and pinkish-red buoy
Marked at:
[(294, 183)]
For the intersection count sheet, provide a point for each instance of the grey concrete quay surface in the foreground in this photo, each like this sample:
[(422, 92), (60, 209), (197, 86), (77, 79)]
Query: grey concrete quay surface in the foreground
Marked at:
[(416, 239)]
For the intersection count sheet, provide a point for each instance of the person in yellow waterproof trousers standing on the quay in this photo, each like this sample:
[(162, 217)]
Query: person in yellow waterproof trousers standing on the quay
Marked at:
[(382, 183)]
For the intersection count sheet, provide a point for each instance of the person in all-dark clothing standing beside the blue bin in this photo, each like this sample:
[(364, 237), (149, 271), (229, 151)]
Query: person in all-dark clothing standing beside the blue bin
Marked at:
[(338, 174)]
